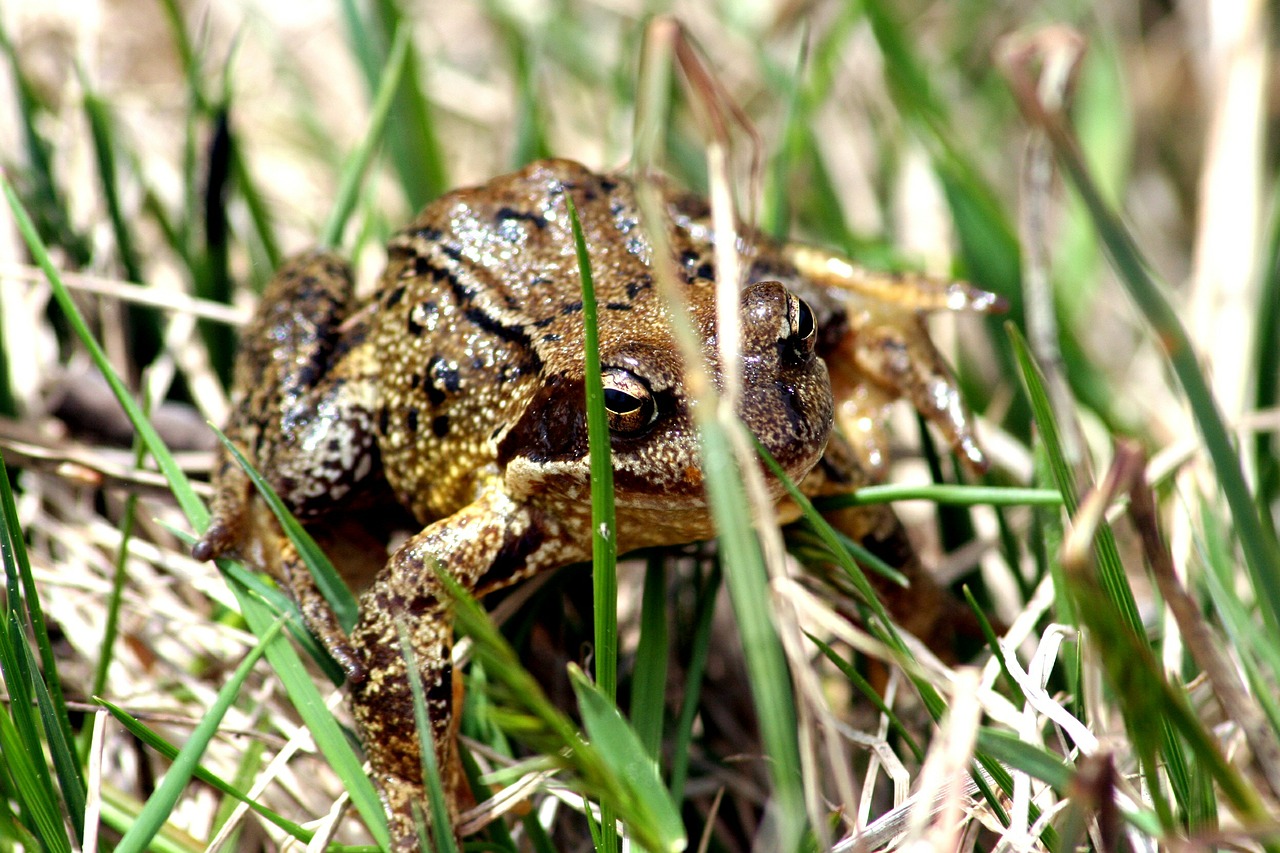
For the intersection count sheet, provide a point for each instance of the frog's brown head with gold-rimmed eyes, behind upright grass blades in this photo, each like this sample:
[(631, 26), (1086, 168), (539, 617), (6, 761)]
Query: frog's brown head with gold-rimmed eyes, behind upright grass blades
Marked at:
[(659, 473)]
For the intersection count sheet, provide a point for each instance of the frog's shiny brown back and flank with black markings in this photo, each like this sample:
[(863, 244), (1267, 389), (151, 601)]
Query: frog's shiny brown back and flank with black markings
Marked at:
[(481, 309)]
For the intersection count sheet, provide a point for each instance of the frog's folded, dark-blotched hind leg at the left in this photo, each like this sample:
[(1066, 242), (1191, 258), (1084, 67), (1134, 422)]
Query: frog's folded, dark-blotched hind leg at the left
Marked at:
[(303, 418)]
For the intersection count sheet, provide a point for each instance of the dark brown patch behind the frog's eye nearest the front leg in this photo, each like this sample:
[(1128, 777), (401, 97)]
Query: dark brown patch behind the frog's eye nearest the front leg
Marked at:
[(552, 430)]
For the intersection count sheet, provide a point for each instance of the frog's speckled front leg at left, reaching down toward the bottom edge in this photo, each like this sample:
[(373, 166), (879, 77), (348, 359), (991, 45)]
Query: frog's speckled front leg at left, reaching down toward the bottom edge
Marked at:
[(488, 545)]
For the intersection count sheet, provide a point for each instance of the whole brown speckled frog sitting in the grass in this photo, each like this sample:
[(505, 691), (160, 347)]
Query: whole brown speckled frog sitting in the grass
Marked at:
[(452, 400)]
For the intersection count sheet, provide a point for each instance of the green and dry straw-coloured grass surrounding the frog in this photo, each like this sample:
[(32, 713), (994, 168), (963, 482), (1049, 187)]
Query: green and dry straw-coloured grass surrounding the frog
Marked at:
[(1133, 700)]
